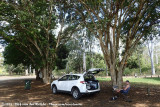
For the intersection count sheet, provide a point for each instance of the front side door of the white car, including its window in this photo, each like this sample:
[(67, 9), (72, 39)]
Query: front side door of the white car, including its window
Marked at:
[(62, 83)]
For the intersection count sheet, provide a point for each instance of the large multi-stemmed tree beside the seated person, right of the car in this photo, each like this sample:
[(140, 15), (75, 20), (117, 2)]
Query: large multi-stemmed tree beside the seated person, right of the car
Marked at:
[(118, 24)]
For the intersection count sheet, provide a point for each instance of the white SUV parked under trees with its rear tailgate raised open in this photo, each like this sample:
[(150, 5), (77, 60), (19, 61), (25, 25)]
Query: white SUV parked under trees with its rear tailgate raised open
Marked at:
[(77, 84)]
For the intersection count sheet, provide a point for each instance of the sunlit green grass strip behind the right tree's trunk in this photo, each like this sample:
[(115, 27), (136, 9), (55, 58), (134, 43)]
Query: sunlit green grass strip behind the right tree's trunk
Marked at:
[(151, 81)]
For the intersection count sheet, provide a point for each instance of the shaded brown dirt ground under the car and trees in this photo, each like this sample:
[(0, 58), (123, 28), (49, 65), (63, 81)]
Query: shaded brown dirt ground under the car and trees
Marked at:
[(13, 94)]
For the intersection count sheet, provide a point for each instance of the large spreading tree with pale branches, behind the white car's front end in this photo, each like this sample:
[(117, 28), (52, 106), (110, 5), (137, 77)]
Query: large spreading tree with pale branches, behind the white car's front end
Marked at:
[(30, 26)]
